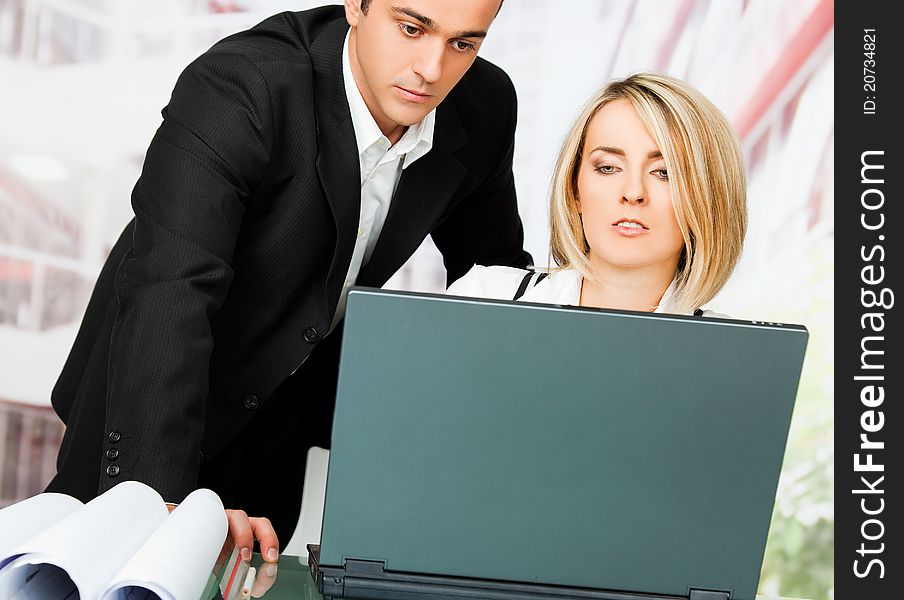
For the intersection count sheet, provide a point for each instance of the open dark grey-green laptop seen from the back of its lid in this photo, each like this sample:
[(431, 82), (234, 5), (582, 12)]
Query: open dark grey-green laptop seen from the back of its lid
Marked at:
[(498, 450)]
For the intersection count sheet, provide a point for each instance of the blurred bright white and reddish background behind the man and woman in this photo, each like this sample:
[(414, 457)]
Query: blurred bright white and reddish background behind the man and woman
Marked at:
[(82, 83)]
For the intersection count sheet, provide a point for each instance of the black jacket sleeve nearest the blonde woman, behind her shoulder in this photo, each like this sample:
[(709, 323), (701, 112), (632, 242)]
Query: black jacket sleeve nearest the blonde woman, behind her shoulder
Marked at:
[(485, 227)]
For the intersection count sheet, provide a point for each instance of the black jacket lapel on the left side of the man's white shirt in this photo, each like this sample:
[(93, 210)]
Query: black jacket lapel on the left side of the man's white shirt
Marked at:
[(337, 159)]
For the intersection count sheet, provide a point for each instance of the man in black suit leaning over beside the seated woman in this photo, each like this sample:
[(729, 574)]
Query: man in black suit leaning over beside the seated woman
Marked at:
[(304, 155)]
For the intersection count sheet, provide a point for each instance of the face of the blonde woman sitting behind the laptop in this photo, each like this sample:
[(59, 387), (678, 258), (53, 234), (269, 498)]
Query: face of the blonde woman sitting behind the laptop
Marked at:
[(624, 195)]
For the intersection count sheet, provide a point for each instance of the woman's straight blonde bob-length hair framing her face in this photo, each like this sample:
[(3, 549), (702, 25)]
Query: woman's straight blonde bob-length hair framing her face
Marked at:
[(706, 176)]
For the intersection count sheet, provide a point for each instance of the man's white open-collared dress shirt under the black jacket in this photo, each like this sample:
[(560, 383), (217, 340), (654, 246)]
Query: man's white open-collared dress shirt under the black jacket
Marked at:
[(381, 166)]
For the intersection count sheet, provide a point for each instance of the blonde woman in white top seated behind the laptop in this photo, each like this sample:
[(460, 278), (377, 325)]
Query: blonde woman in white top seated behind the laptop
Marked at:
[(647, 208)]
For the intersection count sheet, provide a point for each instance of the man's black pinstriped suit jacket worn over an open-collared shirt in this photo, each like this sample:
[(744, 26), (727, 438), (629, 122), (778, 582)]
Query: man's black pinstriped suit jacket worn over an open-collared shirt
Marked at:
[(245, 217)]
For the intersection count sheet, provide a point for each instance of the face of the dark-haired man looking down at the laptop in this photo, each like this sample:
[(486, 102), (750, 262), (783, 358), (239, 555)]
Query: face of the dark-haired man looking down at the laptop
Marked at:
[(407, 55)]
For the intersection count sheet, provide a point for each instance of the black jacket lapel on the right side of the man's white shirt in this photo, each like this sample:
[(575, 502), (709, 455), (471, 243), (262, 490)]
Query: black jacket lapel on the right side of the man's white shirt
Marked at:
[(424, 192)]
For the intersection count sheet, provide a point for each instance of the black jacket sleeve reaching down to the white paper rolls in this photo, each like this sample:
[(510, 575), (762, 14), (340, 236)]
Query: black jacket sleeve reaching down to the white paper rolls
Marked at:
[(210, 152)]
